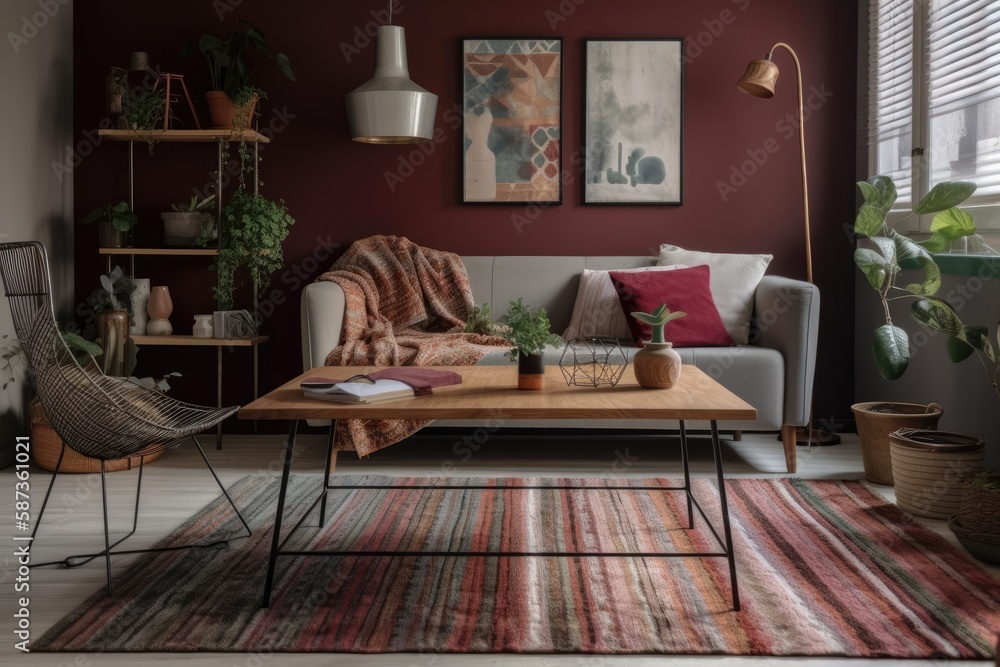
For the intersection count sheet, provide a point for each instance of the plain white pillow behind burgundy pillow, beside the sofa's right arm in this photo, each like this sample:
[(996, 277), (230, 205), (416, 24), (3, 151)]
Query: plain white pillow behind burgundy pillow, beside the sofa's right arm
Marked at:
[(733, 280)]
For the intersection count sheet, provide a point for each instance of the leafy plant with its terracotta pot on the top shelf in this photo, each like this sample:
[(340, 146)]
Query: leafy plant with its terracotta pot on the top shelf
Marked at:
[(232, 99)]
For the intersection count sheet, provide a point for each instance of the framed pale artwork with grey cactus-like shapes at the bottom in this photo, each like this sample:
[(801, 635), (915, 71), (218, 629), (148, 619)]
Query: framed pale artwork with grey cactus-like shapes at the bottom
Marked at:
[(633, 94)]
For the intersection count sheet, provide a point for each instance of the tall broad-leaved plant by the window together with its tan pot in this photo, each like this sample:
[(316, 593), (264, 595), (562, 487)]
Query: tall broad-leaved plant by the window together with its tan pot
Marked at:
[(879, 253)]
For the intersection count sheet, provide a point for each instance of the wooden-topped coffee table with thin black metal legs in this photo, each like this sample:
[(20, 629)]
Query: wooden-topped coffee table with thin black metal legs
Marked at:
[(489, 392)]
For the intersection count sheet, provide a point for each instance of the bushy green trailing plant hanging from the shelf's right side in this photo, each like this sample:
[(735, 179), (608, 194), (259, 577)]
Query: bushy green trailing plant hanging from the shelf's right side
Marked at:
[(252, 231)]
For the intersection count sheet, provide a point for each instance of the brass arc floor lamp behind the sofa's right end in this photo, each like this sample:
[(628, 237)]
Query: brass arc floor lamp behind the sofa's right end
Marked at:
[(759, 80)]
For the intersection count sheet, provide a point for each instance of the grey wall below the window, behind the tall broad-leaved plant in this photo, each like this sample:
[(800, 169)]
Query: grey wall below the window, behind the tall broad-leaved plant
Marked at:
[(963, 389)]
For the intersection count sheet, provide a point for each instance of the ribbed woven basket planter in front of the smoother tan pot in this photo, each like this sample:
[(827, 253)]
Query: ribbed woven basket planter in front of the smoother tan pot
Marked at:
[(929, 469)]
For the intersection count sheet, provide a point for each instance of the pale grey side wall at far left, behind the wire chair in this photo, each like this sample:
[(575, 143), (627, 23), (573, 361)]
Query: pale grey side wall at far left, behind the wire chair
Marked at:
[(36, 67)]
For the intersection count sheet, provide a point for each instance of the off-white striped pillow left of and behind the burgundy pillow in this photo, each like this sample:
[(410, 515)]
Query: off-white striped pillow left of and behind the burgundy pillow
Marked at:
[(598, 310)]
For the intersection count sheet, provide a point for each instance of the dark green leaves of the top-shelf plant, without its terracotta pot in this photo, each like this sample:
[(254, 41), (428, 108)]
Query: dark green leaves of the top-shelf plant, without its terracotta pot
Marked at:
[(227, 62)]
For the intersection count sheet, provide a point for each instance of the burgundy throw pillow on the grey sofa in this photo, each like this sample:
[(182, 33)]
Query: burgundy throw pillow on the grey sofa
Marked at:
[(687, 290)]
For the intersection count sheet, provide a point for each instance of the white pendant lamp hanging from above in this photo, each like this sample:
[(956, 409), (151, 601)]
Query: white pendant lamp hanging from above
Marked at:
[(390, 108)]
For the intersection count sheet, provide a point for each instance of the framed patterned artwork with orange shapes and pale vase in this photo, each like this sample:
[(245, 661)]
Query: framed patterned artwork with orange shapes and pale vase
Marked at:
[(512, 115)]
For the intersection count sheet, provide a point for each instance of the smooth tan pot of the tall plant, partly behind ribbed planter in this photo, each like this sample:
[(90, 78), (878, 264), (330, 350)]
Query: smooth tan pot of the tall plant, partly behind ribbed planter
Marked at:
[(877, 420)]
